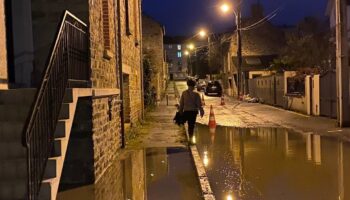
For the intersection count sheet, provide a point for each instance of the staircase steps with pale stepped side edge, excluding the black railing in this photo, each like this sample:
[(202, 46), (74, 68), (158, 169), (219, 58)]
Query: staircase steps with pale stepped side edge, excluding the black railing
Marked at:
[(14, 109)]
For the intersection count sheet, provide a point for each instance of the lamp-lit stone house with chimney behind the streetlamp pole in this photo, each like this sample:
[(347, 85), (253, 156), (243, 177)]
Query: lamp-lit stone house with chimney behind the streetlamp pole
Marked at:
[(260, 46)]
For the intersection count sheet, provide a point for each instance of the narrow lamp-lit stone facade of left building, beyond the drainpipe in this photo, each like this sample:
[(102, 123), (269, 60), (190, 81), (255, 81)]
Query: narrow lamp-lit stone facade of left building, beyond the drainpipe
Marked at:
[(131, 56)]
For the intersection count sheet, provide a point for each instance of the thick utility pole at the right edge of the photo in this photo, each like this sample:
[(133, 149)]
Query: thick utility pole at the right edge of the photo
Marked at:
[(342, 64)]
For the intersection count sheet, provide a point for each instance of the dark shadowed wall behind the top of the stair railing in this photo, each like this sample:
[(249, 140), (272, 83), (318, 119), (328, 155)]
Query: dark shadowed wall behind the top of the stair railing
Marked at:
[(47, 15)]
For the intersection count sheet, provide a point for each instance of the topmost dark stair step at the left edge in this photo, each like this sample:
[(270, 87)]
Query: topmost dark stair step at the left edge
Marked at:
[(17, 96)]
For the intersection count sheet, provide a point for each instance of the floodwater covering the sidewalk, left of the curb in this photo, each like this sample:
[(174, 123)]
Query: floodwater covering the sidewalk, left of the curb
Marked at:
[(153, 174)]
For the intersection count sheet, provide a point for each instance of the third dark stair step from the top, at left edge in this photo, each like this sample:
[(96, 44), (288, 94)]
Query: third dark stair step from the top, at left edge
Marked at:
[(11, 131)]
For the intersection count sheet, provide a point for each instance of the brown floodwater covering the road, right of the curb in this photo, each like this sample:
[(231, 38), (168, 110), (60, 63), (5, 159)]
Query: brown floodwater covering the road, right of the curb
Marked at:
[(274, 164)]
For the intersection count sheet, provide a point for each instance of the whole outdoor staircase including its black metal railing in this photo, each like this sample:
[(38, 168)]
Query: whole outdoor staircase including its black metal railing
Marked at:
[(35, 124)]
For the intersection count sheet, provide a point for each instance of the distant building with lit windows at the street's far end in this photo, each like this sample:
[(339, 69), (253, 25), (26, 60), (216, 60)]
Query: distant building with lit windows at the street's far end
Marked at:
[(175, 48)]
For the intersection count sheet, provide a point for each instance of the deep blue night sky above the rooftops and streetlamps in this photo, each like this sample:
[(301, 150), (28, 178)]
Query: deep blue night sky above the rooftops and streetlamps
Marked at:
[(185, 17)]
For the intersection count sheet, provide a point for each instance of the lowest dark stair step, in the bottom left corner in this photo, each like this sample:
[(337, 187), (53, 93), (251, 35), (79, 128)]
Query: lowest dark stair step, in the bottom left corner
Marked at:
[(13, 189)]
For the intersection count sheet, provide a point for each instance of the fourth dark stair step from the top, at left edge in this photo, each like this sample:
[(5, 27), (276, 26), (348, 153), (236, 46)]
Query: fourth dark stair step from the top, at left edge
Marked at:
[(12, 150)]
